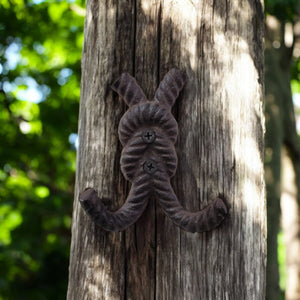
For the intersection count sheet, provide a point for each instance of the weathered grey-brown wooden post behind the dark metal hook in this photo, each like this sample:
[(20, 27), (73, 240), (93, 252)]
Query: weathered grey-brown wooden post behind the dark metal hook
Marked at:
[(220, 150)]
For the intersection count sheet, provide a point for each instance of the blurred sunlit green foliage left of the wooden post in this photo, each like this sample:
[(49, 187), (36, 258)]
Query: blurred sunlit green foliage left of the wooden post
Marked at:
[(40, 51)]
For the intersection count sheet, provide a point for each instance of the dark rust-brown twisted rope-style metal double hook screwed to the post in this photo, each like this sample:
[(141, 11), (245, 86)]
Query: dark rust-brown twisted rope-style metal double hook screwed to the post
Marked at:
[(148, 132)]
